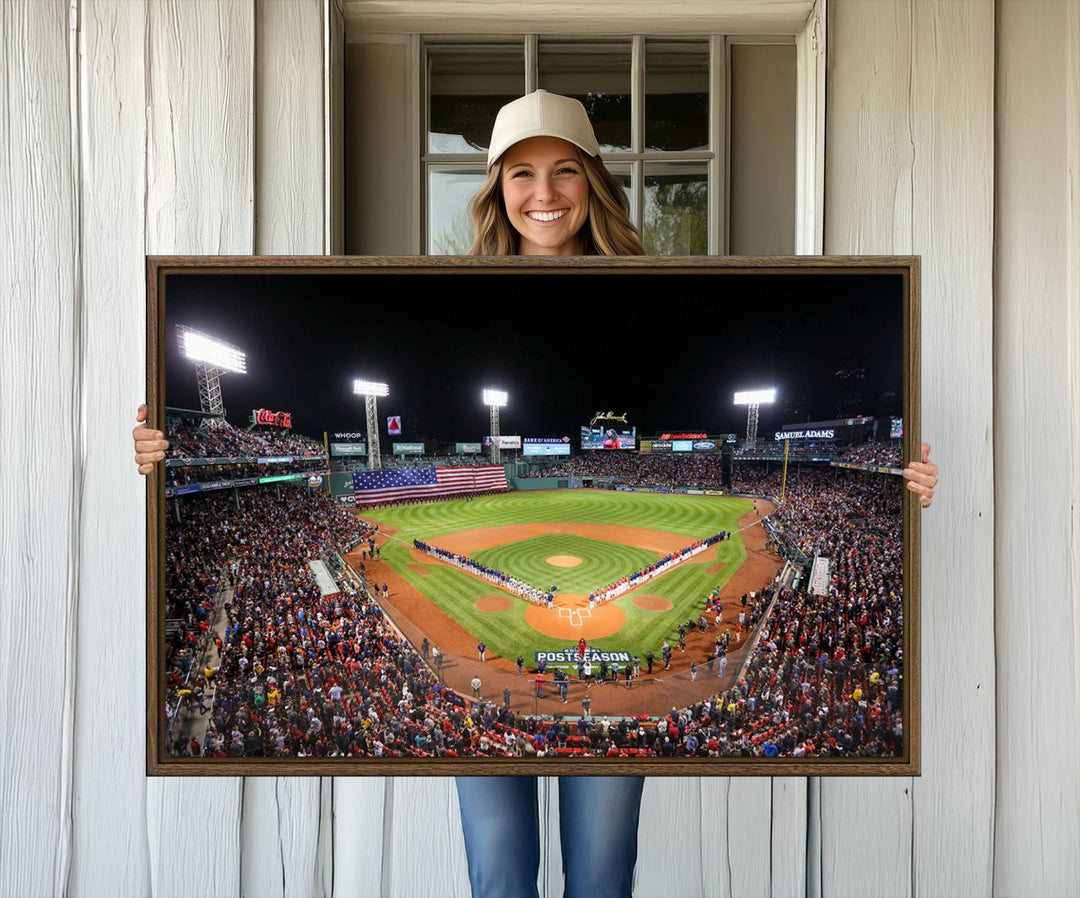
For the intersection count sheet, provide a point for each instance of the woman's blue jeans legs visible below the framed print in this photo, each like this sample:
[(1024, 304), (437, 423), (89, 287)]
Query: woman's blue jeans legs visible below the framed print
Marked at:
[(598, 826)]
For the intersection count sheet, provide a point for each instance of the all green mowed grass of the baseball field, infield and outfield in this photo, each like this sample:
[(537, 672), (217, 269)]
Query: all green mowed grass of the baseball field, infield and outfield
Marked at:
[(507, 633)]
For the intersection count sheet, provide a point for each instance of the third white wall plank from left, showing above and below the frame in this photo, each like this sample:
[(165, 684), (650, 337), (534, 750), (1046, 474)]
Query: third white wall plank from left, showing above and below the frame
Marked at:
[(200, 190)]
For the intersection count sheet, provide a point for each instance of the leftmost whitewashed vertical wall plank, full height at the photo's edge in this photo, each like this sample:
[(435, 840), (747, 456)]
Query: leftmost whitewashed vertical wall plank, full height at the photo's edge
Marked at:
[(42, 455)]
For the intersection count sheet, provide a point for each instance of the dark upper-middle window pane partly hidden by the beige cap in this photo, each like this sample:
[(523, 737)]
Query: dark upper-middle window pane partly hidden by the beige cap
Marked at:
[(599, 76)]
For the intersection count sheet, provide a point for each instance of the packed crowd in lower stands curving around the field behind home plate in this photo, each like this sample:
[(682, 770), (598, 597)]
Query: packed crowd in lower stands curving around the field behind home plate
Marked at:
[(305, 675)]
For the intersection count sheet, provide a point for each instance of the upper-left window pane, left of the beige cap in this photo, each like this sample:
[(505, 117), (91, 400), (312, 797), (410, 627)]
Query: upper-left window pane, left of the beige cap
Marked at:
[(467, 87)]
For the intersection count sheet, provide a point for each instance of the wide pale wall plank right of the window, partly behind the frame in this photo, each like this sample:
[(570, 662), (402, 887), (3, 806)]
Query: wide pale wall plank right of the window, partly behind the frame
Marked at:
[(910, 154)]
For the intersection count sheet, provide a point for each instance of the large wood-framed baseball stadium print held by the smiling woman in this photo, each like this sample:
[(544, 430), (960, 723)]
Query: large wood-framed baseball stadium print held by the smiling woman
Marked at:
[(445, 516)]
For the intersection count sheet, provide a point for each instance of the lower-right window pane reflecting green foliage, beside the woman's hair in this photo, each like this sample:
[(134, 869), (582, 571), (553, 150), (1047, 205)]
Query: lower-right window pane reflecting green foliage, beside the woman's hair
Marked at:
[(677, 210)]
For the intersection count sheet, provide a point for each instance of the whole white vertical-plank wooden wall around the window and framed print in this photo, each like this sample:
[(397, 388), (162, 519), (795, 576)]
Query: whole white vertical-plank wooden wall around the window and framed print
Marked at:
[(134, 128)]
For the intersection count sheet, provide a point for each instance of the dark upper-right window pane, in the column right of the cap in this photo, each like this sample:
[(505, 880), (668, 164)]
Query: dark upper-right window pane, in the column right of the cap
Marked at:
[(677, 96)]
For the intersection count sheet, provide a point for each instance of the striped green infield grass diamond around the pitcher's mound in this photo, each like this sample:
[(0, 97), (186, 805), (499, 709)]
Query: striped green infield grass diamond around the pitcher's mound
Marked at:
[(602, 564)]
